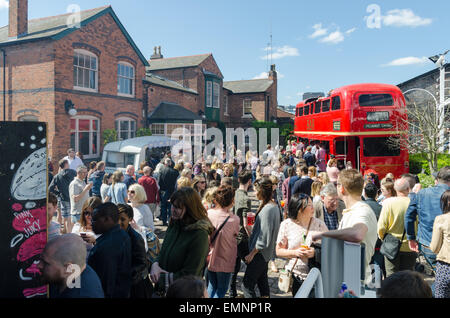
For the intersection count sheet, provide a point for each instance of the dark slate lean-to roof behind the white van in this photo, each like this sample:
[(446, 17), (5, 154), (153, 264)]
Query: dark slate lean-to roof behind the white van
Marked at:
[(171, 112)]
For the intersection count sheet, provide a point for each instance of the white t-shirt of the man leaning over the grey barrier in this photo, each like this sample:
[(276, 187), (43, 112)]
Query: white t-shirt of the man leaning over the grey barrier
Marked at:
[(362, 213)]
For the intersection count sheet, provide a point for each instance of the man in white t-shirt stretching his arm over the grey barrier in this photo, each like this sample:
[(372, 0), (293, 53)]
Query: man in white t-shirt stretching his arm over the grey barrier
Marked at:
[(359, 223)]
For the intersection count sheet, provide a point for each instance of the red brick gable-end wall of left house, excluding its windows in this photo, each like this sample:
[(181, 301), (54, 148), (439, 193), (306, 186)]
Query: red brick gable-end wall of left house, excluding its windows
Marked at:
[(105, 39)]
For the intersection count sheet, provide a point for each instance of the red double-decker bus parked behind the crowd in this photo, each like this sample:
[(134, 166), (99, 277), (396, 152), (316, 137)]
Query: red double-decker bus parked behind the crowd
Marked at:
[(357, 123)]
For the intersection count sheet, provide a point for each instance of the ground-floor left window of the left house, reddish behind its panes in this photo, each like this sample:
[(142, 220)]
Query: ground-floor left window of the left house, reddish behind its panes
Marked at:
[(85, 135)]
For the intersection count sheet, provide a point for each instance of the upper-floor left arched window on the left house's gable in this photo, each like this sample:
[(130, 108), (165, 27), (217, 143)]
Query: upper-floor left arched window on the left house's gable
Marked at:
[(85, 71)]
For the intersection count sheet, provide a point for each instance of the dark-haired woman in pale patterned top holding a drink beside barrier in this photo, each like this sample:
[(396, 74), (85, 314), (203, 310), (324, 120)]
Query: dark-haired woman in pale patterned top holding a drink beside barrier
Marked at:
[(294, 237)]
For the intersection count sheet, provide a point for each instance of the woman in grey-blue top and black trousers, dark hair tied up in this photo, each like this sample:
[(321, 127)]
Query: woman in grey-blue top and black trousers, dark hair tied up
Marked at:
[(262, 241)]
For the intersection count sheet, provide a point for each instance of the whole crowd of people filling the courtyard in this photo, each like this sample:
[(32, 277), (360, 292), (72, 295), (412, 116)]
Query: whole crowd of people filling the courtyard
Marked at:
[(105, 224)]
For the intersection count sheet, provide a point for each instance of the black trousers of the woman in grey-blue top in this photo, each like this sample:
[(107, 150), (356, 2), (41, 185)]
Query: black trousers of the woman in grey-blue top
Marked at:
[(256, 274)]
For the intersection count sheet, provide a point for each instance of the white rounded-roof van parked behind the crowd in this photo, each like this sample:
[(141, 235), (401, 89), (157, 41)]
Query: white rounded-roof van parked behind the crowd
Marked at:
[(119, 154)]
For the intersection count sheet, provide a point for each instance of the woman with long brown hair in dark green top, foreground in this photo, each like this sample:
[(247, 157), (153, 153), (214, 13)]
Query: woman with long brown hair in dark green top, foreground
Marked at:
[(186, 242)]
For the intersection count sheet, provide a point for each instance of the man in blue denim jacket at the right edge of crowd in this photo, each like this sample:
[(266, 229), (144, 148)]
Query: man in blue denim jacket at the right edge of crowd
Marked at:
[(426, 206)]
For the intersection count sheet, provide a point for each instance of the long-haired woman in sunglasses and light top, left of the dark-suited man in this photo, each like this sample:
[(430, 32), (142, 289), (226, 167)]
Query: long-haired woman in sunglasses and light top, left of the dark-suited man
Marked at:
[(84, 226)]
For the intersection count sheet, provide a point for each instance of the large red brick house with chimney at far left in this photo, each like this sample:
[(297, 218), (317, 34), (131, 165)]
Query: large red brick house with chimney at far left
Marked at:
[(51, 65)]
